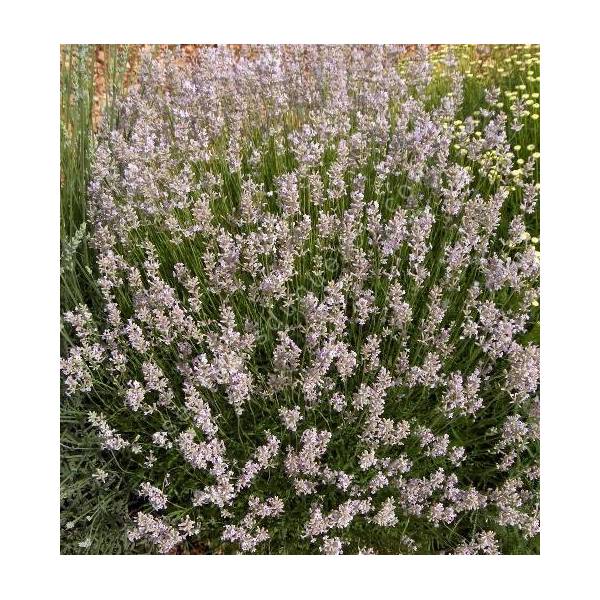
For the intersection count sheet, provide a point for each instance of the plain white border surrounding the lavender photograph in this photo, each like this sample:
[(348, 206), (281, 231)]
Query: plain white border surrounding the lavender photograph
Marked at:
[(30, 97)]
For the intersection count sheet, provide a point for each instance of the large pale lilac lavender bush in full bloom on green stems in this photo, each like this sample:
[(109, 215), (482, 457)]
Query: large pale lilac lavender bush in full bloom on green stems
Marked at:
[(313, 317)]
